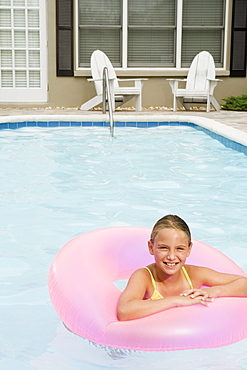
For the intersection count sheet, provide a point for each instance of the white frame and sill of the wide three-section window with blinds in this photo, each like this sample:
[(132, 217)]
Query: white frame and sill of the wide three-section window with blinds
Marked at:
[(178, 70)]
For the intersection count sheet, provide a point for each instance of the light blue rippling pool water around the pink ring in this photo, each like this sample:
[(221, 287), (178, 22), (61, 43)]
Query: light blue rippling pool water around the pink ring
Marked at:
[(57, 183)]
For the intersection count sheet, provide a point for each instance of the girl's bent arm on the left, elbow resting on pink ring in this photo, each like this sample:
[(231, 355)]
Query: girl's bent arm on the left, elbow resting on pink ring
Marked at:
[(132, 304)]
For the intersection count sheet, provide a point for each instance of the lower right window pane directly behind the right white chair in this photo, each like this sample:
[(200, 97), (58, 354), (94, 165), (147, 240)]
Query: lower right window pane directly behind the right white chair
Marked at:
[(194, 42)]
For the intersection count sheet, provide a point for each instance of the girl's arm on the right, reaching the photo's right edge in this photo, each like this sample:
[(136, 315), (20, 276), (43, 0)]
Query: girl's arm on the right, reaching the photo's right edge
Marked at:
[(220, 285)]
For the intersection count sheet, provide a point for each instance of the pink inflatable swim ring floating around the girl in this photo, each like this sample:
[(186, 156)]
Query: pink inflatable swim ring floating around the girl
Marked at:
[(83, 293)]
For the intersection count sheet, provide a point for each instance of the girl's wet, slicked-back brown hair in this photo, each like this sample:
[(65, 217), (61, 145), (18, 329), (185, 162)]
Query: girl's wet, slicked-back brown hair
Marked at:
[(170, 222)]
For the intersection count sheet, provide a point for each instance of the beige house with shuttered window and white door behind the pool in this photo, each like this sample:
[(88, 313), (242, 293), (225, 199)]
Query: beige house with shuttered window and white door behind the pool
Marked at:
[(45, 46)]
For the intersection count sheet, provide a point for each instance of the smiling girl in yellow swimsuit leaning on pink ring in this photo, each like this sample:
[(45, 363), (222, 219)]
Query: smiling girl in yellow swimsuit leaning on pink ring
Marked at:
[(168, 282)]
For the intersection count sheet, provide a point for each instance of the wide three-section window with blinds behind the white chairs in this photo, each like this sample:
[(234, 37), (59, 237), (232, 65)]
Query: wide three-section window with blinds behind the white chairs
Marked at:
[(151, 34)]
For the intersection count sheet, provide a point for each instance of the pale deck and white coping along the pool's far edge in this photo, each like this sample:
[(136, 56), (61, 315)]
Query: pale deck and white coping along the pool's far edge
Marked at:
[(229, 124)]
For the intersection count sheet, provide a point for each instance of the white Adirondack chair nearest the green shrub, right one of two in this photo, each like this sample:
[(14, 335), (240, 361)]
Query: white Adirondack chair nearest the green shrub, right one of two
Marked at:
[(200, 83)]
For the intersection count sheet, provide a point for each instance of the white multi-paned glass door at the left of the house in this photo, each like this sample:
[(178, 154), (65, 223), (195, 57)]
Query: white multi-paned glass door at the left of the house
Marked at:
[(22, 68)]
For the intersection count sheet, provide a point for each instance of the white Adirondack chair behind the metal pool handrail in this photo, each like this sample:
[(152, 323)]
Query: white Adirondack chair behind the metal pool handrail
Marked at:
[(120, 95)]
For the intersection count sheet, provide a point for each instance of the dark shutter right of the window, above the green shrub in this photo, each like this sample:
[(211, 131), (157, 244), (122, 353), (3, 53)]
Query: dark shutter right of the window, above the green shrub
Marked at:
[(238, 45)]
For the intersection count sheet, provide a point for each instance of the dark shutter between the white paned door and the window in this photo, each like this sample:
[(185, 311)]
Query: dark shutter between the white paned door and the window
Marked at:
[(65, 38)]
